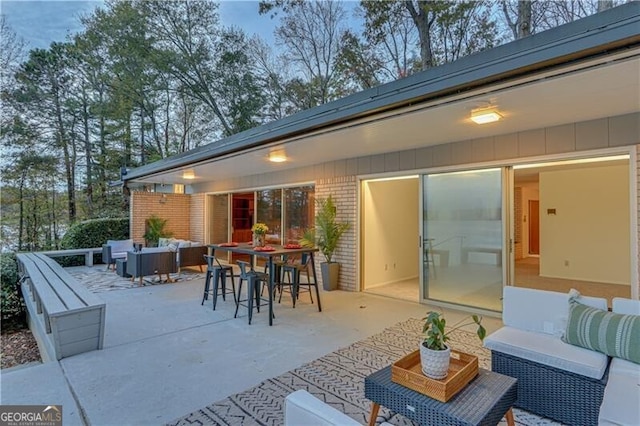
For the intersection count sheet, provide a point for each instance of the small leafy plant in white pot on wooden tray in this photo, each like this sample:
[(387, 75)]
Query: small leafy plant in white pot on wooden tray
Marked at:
[(435, 354)]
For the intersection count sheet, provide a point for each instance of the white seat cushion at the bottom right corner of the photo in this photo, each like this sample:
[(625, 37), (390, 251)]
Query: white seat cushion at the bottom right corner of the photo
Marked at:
[(621, 402)]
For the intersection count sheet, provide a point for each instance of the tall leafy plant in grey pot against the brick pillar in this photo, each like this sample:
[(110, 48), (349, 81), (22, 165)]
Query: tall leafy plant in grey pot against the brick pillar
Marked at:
[(325, 235)]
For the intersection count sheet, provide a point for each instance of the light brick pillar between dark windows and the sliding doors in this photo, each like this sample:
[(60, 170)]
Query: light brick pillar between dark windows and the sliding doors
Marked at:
[(344, 193)]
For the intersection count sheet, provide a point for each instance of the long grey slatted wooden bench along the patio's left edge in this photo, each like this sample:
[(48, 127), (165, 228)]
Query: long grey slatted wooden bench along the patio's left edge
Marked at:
[(64, 316)]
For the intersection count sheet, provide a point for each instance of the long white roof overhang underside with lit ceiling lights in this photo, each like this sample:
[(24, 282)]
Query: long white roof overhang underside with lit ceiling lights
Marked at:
[(578, 93)]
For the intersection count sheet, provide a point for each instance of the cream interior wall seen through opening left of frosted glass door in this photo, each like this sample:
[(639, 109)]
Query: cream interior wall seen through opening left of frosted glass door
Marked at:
[(390, 231)]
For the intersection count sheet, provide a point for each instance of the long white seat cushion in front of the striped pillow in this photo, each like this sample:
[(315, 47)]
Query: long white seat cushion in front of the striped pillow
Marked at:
[(548, 350)]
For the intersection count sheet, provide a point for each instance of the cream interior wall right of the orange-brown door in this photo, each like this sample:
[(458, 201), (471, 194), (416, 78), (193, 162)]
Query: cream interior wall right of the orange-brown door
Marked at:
[(576, 242)]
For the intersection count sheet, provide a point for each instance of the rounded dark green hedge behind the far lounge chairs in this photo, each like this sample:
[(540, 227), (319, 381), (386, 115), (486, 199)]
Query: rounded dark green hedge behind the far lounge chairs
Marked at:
[(92, 233)]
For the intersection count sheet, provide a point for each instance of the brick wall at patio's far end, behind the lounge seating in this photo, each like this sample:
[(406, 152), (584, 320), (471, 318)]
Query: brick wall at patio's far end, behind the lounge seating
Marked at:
[(174, 207)]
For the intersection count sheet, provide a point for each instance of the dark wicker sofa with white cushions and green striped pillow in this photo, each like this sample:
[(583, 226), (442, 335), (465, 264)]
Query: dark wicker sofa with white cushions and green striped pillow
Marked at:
[(566, 381)]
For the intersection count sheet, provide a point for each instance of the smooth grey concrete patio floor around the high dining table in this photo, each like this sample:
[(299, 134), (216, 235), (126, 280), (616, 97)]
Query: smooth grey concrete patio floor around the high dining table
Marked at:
[(165, 355)]
